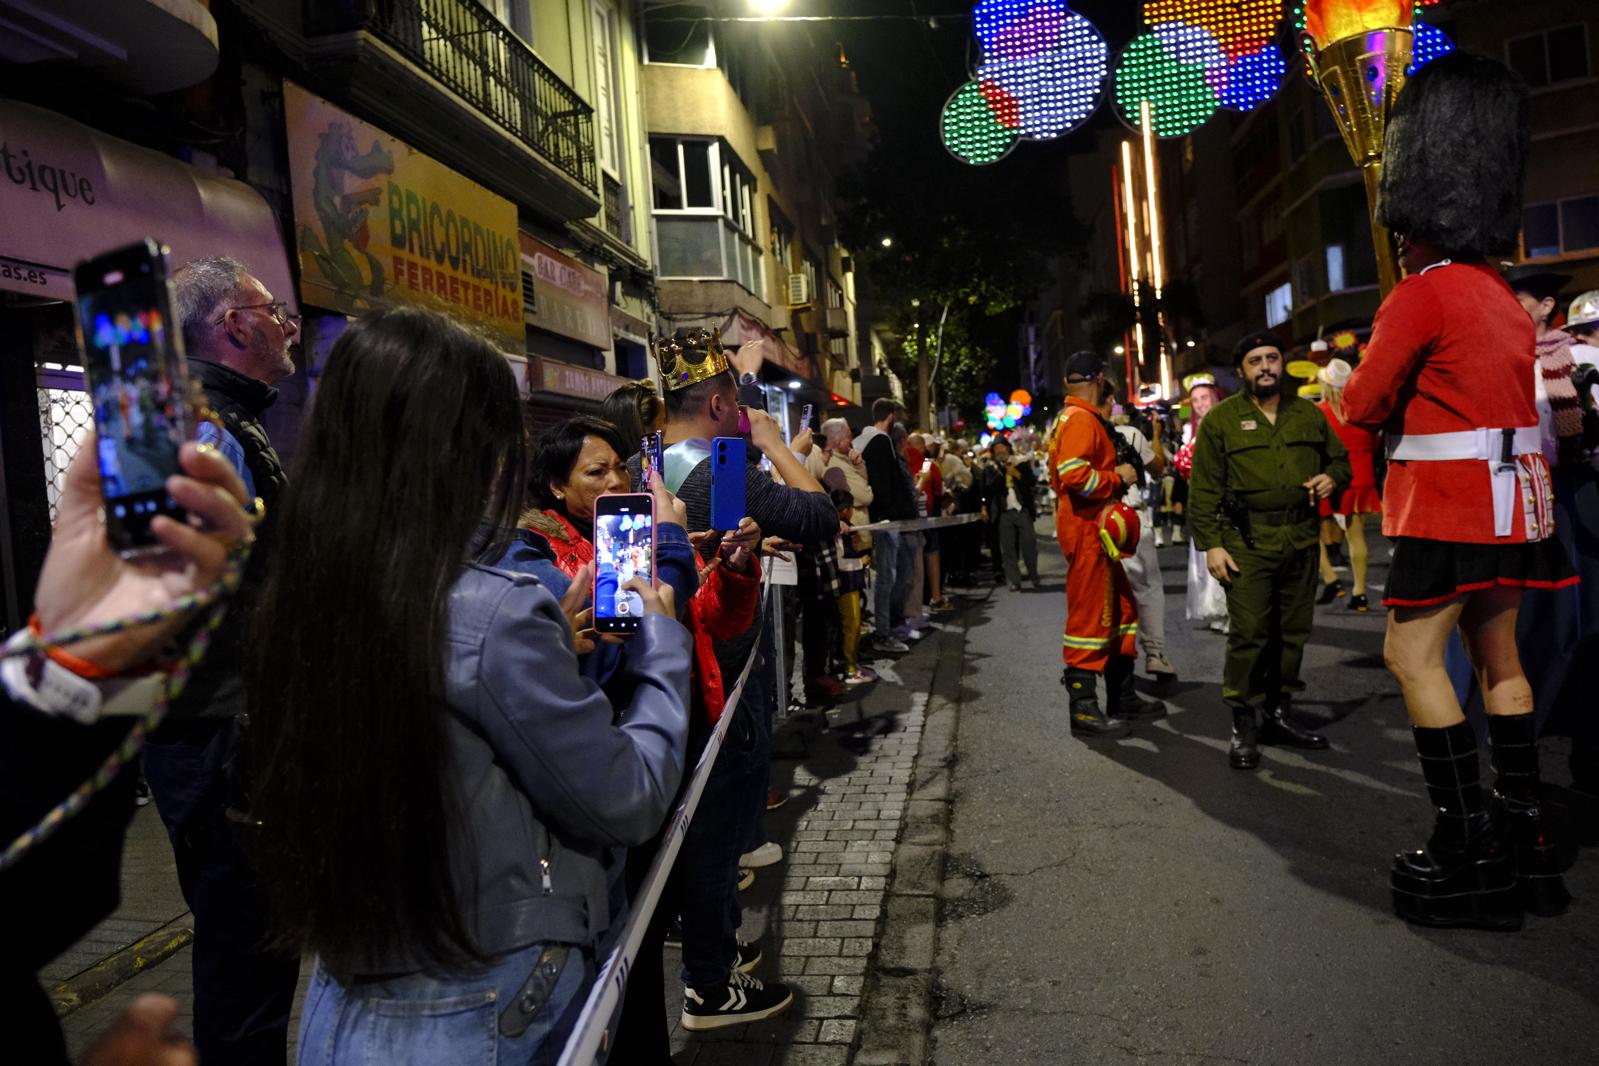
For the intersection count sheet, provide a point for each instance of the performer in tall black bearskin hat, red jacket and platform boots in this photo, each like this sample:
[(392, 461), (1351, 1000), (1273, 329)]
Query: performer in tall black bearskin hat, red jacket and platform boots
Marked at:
[(1449, 376)]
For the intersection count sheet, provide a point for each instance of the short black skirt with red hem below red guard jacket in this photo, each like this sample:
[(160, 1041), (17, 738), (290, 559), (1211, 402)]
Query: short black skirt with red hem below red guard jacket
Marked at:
[(1432, 573)]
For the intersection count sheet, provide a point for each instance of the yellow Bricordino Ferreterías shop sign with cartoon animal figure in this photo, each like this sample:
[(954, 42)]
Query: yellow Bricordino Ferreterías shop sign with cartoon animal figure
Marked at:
[(380, 225)]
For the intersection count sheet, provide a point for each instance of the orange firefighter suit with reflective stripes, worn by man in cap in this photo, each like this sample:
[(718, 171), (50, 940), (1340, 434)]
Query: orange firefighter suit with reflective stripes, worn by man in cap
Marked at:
[(1103, 618)]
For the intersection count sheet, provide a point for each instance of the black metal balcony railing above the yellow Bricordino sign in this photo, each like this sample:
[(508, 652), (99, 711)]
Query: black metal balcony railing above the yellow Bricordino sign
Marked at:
[(461, 44)]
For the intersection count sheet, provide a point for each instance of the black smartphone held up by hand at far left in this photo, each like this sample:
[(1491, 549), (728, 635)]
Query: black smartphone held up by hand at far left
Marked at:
[(134, 365)]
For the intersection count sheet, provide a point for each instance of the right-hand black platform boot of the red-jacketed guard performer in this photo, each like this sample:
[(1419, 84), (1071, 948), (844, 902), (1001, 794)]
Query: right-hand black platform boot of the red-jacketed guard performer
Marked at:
[(1541, 857)]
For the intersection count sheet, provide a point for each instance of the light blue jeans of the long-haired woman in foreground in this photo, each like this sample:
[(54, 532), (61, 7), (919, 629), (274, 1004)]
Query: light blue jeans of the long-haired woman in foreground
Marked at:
[(429, 1019)]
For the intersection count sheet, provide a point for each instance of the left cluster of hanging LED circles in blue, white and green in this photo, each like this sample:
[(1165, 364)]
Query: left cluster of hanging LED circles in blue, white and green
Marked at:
[(1040, 78)]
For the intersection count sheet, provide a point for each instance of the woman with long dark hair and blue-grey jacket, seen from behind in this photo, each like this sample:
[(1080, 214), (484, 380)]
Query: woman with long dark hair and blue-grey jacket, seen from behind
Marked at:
[(439, 787)]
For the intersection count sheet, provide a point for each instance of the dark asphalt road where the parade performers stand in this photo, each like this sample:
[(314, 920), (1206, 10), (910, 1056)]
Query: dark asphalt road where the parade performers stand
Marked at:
[(1141, 902)]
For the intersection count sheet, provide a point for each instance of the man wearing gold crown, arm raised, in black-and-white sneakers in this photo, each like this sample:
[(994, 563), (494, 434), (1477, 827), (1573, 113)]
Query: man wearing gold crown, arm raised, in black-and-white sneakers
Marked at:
[(703, 404)]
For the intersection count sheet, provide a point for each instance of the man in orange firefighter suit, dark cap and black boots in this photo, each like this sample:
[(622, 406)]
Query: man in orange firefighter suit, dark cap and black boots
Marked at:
[(1103, 618)]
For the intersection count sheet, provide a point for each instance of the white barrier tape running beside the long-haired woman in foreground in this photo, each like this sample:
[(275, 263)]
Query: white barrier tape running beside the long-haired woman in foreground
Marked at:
[(605, 998)]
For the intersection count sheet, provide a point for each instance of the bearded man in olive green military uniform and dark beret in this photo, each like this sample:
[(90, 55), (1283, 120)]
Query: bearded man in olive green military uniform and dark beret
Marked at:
[(1262, 464)]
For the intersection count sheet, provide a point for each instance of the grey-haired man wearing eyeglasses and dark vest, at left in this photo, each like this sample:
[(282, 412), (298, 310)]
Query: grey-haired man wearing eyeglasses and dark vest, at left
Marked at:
[(237, 338)]
